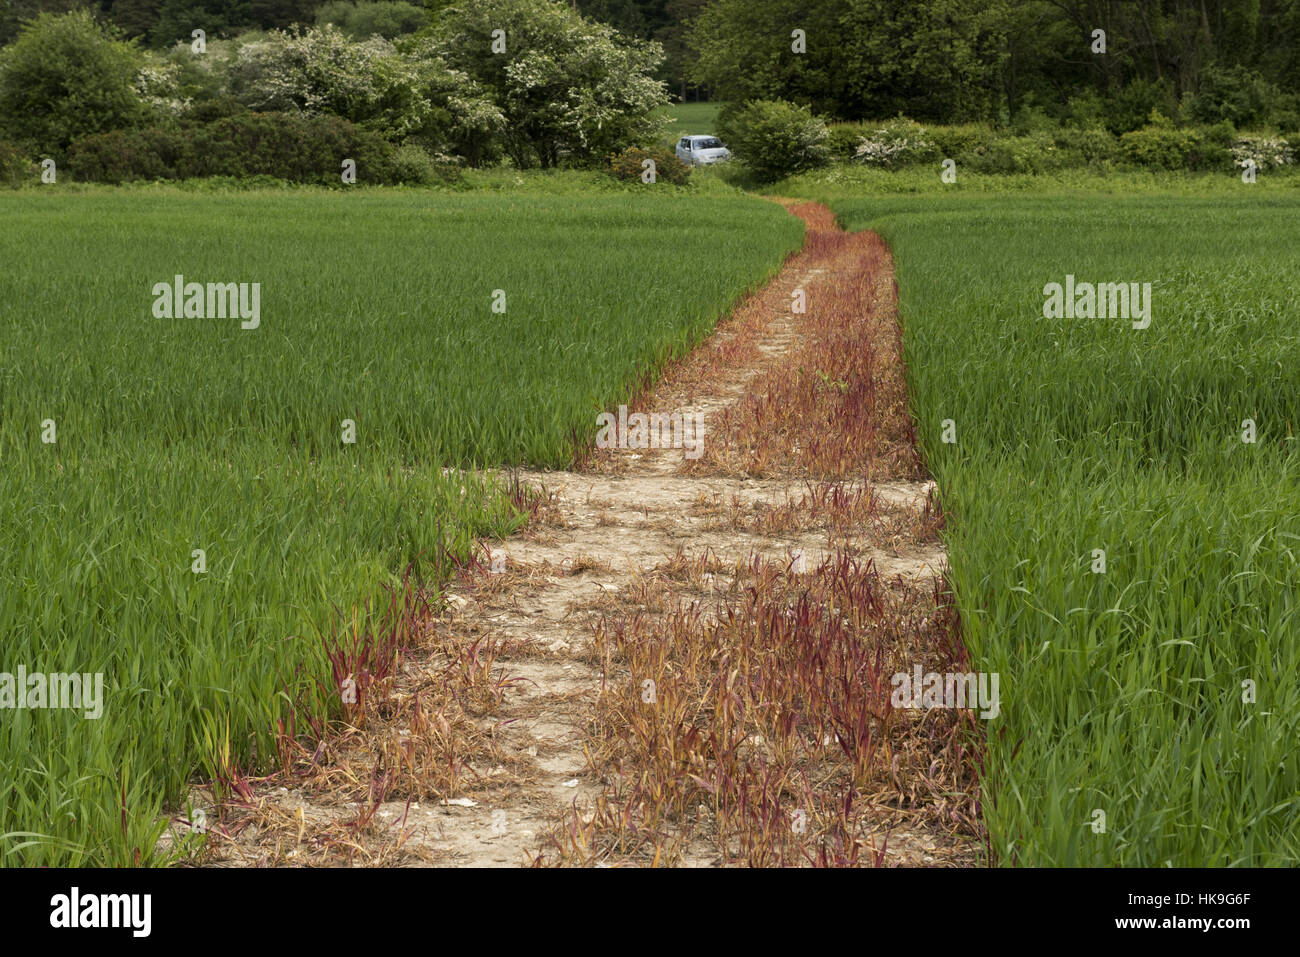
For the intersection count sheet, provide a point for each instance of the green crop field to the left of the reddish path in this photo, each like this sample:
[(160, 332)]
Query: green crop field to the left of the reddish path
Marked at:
[(129, 441)]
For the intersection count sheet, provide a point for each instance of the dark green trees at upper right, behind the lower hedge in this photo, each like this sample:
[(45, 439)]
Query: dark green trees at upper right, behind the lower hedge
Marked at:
[(991, 60)]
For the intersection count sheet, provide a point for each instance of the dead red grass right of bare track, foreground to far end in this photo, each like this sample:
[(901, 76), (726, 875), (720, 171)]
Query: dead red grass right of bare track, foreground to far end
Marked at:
[(757, 729)]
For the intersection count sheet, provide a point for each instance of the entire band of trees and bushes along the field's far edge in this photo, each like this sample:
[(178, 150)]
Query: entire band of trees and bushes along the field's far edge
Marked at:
[(122, 90)]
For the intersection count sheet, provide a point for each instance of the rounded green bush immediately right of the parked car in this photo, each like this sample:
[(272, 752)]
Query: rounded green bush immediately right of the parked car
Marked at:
[(775, 138)]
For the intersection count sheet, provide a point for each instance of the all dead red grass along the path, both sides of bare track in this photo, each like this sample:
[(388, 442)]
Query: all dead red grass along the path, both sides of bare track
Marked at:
[(744, 714)]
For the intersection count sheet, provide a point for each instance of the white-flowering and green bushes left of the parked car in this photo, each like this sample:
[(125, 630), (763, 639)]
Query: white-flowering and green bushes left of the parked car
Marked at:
[(562, 90)]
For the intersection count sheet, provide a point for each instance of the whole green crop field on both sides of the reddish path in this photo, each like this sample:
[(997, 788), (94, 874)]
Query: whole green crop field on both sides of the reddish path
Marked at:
[(1120, 556)]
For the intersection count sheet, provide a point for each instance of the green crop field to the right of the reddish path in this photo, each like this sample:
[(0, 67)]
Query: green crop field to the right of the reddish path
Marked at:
[(1151, 705)]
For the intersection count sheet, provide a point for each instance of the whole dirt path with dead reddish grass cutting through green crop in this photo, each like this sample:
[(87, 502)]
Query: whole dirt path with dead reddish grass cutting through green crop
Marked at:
[(501, 742)]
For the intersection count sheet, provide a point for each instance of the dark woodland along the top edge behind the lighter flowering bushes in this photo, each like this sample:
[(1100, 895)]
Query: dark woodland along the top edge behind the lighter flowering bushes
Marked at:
[(938, 62)]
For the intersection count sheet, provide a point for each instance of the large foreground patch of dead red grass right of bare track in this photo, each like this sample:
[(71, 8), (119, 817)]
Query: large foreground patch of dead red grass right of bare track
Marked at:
[(760, 733)]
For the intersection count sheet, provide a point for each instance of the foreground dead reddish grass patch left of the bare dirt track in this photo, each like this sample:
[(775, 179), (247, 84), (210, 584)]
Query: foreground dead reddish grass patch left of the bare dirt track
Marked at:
[(406, 734)]
